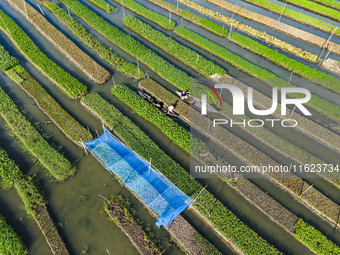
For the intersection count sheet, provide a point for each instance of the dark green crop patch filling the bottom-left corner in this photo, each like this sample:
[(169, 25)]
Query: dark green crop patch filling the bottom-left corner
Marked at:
[(10, 242)]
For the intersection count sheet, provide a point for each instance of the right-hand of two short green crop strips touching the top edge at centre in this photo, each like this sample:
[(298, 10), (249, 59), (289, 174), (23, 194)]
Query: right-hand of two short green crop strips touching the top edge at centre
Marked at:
[(202, 22)]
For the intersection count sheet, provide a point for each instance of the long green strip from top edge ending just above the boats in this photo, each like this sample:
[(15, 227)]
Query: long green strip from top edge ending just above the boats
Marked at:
[(158, 64)]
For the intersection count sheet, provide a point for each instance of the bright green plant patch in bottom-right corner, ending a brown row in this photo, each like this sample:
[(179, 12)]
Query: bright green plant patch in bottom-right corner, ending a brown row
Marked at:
[(314, 239)]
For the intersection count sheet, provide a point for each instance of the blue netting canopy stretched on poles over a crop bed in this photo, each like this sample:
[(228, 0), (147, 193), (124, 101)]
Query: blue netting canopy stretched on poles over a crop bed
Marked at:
[(151, 186)]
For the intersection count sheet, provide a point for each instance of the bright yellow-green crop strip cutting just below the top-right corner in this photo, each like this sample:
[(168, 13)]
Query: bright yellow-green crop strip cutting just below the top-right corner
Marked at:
[(316, 8)]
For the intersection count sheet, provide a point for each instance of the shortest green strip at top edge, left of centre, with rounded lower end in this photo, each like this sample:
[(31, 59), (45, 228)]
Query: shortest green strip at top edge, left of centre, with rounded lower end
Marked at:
[(155, 17)]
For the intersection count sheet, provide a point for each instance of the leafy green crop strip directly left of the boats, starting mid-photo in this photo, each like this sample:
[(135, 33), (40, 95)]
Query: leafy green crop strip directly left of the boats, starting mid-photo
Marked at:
[(170, 128)]
